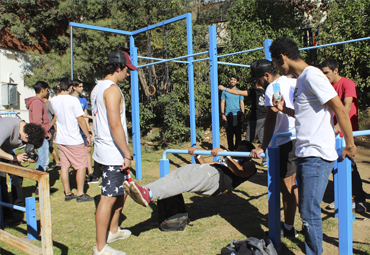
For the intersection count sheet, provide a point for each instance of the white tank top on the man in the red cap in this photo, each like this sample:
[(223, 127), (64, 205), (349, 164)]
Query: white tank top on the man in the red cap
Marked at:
[(105, 150)]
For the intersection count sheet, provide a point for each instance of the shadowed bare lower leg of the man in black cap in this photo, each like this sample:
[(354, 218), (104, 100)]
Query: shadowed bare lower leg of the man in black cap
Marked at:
[(287, 186)]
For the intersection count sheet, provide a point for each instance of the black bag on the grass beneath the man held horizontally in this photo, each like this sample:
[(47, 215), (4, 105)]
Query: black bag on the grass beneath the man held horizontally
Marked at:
[(172, 214)]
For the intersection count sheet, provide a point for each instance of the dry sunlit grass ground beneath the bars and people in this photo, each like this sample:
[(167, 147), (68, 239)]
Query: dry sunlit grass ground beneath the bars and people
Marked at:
[(215, 221)]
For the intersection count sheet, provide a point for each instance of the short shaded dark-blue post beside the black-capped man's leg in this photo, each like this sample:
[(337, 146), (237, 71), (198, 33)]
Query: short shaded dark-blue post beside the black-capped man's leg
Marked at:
[(273, 179)]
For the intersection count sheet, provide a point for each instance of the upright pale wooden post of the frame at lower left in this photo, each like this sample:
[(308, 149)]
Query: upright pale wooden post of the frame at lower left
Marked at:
[(45, 215)]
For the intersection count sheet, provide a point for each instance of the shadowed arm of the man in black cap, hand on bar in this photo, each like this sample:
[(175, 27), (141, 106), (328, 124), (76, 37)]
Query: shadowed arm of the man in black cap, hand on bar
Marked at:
[(268, 131)]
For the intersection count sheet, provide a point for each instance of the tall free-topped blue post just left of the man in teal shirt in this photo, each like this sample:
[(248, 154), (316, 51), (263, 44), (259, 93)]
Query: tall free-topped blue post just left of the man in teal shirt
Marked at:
[(214, 87)]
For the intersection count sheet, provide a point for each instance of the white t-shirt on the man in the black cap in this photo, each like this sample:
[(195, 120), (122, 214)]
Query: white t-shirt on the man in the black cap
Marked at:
[(284, 123)]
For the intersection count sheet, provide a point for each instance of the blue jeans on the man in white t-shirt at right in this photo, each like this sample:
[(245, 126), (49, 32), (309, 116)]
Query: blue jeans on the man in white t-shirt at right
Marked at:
[(312, 179)]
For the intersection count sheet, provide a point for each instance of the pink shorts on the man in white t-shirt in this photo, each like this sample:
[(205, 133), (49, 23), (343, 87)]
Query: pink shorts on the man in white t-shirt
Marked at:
[(74, 155)]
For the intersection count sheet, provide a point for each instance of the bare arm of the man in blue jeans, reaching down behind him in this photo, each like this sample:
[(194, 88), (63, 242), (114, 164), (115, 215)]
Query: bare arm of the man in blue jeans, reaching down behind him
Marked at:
[(345, 125)]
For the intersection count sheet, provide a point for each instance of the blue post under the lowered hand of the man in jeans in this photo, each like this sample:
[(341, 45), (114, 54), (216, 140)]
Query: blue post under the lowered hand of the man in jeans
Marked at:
[(345, 205)]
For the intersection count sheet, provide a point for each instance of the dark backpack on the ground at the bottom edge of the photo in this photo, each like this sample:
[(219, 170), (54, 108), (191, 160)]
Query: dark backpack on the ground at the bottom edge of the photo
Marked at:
[(250, 246)]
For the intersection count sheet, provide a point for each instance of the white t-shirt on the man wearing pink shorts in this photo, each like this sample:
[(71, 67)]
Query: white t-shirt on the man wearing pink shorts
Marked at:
[(67, 109)]
